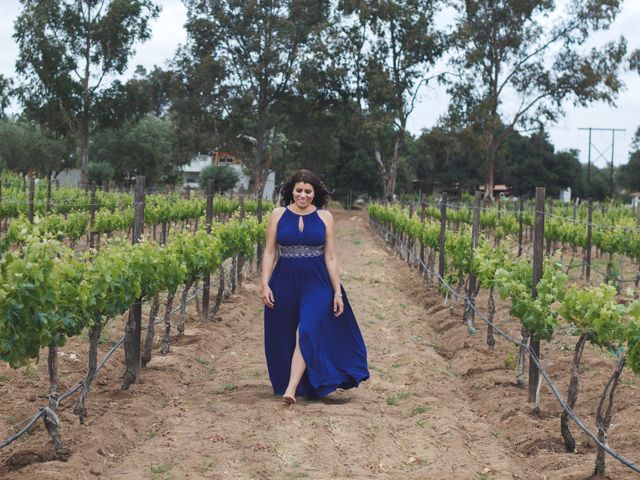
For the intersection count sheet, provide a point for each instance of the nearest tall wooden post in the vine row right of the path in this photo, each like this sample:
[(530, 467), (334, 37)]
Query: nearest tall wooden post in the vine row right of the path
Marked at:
[(538, 257)]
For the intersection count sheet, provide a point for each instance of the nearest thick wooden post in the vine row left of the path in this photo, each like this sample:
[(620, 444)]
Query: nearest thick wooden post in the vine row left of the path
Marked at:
[(133, 328)]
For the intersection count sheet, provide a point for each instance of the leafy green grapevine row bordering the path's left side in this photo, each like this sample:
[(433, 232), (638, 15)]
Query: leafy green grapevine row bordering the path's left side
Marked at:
[(49, 293)]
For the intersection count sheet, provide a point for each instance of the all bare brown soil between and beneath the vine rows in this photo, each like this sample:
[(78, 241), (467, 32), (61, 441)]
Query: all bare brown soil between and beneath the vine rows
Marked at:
[(438, 404)]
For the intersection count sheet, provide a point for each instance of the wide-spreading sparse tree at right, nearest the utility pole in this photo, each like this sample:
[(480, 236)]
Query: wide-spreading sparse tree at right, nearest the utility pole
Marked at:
[(520, 62)]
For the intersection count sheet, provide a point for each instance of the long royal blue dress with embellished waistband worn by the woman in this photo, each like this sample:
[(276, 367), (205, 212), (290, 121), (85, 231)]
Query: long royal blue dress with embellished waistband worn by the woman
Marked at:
[(332, 347)]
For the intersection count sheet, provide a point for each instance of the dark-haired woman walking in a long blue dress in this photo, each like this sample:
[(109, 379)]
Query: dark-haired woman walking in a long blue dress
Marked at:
[(312, 342)]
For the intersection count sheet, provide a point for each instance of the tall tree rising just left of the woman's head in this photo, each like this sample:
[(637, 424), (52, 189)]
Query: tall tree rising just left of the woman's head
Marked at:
[(261, 44)]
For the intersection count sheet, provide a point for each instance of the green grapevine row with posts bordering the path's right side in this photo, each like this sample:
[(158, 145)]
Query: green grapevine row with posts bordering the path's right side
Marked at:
[(465, 259)]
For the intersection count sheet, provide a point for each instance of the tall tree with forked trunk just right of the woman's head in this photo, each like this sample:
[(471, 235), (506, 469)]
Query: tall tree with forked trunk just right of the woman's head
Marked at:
[(388, 50)]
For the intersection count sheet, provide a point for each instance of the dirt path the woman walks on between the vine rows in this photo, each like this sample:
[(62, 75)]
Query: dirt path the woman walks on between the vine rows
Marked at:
[(409, 421)]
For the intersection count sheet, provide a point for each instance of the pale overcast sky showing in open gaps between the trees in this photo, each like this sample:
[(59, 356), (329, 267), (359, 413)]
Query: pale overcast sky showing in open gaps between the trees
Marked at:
[(168, 32)]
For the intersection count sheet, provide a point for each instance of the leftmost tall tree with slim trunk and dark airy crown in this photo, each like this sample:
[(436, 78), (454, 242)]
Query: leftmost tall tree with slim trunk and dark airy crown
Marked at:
[(68, 49)]
